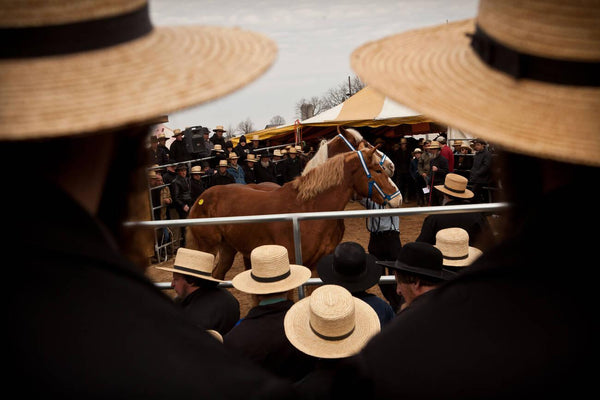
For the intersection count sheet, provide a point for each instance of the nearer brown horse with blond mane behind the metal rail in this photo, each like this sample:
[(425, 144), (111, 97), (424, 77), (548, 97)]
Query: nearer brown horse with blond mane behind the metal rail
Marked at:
[(328, 187)]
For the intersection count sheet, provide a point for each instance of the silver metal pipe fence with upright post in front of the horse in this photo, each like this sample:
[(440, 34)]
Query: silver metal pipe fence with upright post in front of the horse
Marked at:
[(295, 218)]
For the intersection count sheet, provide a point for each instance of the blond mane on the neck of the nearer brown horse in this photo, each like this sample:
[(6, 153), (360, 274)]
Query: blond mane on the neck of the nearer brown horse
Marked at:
[(320, 178)]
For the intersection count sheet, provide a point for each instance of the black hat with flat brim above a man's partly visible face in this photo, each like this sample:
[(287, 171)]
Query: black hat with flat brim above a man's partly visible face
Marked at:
[(420, 258)]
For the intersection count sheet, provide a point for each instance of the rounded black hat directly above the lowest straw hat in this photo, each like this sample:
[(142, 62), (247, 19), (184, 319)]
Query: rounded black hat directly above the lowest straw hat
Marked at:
[(350, 266)]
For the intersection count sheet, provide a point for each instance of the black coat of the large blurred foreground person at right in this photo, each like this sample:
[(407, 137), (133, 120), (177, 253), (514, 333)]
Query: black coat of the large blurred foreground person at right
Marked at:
[(519, 323)]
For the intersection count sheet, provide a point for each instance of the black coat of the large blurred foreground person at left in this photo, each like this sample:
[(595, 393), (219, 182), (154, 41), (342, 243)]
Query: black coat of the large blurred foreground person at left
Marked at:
[(89, 324)]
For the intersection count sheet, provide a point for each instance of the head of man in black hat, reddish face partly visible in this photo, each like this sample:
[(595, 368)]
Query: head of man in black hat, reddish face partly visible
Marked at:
[(418, 270)]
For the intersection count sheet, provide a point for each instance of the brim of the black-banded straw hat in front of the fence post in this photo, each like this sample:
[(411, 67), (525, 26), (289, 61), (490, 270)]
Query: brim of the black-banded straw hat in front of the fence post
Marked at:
[(245, 283)]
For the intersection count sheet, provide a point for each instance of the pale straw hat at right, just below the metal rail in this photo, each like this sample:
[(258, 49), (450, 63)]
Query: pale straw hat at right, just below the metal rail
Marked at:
[(454, 245)]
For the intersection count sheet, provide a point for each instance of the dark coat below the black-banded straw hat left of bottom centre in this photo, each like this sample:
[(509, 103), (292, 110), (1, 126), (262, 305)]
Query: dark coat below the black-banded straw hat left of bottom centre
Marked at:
[(260, 336)]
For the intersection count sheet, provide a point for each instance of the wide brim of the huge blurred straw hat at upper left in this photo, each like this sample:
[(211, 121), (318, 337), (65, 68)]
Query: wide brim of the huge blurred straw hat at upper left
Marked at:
[(170, 69)]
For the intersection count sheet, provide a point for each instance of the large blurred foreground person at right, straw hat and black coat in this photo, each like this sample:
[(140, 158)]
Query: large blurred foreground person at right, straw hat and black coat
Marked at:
[(513, 324)]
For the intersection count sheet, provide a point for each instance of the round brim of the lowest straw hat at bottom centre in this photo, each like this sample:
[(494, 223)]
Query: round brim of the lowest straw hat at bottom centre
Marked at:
[(299, 333)]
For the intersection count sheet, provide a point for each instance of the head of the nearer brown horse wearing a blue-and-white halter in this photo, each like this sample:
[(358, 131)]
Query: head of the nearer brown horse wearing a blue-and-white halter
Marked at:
[(371, 181)]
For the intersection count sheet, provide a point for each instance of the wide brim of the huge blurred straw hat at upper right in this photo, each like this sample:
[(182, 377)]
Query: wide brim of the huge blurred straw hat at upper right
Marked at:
[(434, 71)]
